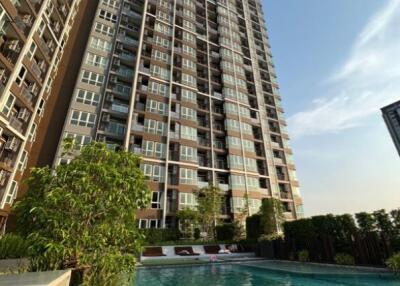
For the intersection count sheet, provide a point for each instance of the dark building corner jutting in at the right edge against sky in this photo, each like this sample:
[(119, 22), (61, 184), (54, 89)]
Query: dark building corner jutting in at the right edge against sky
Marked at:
[(391, 115)]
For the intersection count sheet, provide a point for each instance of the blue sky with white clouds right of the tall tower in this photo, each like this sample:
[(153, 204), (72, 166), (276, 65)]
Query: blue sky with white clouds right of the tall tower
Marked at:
[(338, 63)]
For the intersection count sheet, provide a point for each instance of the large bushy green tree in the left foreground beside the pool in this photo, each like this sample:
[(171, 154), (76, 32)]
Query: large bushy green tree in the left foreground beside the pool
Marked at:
[(82, 214)]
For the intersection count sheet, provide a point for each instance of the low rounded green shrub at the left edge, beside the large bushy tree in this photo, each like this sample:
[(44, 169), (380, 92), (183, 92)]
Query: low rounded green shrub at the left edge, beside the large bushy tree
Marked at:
[(12, 246)]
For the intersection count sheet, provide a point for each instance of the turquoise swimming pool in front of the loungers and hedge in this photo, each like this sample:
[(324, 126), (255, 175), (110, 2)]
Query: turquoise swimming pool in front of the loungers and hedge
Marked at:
[(262, 273)]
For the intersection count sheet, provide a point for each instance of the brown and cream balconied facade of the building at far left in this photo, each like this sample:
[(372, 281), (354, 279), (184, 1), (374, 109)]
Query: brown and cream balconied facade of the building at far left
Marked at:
[(33, 34)]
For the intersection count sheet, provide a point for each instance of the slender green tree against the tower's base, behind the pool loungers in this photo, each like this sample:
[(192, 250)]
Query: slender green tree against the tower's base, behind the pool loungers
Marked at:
[(209, 205)]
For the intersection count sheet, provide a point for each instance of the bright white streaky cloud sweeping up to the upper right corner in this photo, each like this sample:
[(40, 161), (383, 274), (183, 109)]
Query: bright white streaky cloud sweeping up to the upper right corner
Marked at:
[(366, 81)]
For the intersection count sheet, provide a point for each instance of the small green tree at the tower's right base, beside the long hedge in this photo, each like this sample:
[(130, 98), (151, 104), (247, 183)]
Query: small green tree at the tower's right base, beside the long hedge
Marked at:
[(271, 219)]
